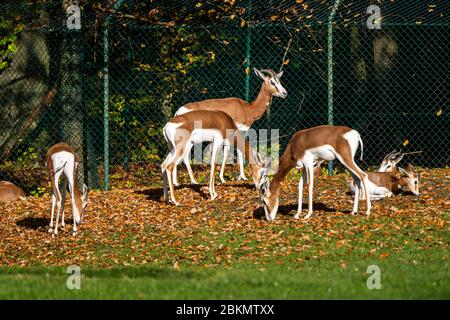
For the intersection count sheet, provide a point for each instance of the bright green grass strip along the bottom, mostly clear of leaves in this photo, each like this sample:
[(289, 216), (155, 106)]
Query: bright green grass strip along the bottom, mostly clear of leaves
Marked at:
[(318, 279)]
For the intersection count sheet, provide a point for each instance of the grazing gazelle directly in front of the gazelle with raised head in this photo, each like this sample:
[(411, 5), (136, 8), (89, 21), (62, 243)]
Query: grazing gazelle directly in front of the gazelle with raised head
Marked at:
[(200, 126)]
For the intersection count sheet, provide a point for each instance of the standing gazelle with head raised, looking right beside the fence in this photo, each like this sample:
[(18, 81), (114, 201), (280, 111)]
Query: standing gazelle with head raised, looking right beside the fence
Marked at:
[(244, 114)]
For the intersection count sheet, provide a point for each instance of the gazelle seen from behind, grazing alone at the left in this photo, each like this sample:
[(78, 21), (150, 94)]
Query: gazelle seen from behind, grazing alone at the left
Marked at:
[(61, 159)]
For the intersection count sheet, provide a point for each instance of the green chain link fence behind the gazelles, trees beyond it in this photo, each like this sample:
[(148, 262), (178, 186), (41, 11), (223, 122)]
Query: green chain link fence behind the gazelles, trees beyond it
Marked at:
[(109, 87)]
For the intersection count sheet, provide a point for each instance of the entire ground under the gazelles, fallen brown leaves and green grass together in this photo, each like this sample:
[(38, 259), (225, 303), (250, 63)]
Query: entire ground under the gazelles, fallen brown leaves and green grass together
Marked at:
[(134, 246)]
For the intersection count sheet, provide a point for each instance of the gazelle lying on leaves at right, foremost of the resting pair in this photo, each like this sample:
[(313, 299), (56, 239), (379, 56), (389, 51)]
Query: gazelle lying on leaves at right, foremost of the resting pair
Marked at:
[(385, 184)]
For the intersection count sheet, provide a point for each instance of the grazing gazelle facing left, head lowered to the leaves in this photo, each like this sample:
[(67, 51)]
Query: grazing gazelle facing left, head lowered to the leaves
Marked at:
[(305, 147)]
